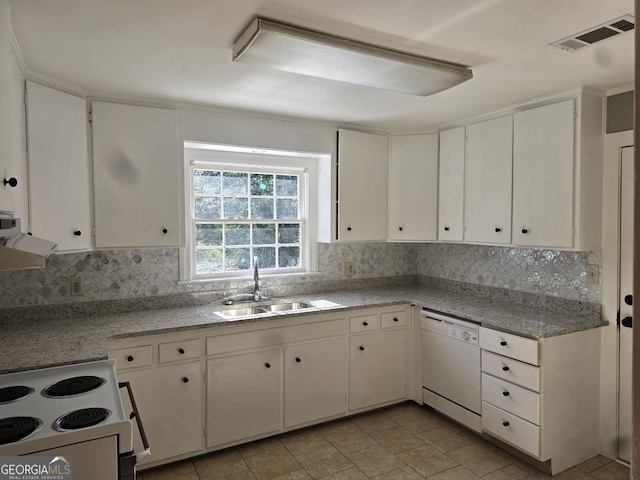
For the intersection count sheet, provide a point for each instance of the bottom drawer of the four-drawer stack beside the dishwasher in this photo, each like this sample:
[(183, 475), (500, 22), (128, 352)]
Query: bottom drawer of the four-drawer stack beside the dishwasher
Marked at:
[(512, 429)]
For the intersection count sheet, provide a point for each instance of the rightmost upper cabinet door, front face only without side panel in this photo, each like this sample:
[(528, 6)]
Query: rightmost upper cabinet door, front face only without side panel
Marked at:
[(543, 187)]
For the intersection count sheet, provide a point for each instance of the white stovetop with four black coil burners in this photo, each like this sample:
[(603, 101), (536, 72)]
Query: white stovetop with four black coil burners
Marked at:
[(59, 406)]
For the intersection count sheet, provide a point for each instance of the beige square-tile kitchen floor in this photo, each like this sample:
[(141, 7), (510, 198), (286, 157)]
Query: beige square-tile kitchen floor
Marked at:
[(403, 442)]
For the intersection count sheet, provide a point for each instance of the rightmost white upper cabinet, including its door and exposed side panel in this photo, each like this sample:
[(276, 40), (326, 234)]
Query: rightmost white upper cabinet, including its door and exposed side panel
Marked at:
[(557, 174)]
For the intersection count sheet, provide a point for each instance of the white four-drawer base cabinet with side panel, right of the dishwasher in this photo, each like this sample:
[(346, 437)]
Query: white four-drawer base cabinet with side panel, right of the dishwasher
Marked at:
[(542, 396)]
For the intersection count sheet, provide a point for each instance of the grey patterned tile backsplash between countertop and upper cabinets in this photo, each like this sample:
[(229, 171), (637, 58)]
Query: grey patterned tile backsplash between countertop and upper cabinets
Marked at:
[(140, 273)]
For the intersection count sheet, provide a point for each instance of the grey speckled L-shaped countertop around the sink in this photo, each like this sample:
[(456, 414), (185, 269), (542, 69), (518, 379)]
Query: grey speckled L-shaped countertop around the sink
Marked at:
[(35, 344)]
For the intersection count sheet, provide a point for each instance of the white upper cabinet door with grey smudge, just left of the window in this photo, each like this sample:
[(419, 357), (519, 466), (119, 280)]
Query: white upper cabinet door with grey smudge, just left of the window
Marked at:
[(136, 176)]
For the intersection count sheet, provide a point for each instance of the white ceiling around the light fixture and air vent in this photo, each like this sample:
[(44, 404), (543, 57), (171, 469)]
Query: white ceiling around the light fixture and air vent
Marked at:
[(179, 51)]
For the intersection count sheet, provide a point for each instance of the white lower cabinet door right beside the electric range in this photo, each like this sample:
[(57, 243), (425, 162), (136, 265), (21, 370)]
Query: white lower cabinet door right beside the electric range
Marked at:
[(170, 403)]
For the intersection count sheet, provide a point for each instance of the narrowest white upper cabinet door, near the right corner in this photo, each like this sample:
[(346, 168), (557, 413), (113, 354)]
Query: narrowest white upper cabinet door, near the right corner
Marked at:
[(451, 185)]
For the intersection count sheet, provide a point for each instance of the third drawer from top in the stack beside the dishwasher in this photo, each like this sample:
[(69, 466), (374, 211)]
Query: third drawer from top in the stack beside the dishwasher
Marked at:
[(512, 398)]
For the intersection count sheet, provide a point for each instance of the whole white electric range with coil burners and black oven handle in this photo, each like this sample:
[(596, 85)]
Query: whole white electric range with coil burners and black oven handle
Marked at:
[(73, 411)]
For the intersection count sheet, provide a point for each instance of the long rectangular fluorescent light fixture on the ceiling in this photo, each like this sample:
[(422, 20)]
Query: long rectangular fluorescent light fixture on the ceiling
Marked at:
[(292, 49)]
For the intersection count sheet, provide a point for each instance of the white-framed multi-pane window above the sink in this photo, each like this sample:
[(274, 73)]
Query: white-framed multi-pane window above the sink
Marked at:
[(244, 206)]
